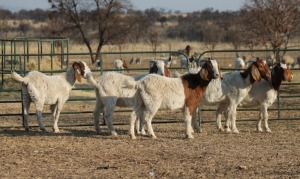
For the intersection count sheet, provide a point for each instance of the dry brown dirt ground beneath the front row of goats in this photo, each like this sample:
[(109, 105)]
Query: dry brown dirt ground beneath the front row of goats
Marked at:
[(77, 152)]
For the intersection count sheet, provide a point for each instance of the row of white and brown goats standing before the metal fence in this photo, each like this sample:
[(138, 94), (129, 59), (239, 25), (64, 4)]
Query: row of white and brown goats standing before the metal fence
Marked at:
[(256, 85)]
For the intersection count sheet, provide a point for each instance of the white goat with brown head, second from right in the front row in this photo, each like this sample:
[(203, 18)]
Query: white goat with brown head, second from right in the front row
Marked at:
[(232, 89)]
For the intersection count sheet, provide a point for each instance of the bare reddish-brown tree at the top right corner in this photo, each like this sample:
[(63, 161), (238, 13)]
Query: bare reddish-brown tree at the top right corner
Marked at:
[(272, 22)]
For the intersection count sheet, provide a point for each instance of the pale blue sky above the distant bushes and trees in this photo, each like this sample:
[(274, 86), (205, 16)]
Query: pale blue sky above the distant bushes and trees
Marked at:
[(181, 5)]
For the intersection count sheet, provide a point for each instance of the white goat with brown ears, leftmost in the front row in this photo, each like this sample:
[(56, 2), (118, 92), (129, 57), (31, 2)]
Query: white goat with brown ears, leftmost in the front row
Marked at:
[(50, 90)]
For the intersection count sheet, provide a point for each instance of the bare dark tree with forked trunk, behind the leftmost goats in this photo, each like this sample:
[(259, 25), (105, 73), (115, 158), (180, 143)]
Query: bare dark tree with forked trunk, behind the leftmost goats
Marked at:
[(99, 20)]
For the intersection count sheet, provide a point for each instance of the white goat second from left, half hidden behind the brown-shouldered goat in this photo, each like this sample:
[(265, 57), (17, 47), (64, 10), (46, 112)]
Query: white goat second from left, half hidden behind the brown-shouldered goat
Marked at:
[(110, 93)]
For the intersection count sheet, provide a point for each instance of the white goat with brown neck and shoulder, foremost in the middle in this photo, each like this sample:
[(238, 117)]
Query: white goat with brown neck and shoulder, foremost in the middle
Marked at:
[(156, 92)]
